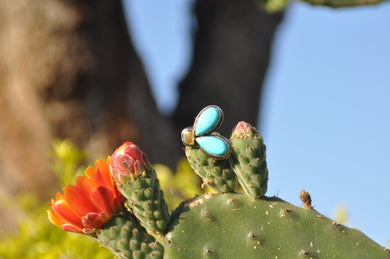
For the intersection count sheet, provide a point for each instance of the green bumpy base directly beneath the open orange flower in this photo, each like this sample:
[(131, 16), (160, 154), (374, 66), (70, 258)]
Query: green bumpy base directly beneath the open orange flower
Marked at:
[(126, 238)]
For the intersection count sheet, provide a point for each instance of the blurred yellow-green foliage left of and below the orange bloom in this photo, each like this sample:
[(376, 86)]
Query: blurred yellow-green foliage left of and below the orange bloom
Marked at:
[(37, 237)]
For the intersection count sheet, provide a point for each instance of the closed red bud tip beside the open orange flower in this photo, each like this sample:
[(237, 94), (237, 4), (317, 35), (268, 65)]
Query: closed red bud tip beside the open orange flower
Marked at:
[(128, 162)]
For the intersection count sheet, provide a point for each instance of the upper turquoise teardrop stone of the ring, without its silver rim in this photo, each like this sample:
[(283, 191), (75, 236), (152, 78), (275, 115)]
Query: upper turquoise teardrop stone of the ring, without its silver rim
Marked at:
[(207, 121)]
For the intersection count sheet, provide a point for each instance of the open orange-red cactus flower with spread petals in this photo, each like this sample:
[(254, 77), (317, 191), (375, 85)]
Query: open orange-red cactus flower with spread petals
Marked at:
[(88, 204)]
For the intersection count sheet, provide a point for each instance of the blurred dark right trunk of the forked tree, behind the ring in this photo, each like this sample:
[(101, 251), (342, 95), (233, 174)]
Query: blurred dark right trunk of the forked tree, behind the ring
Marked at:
[(231, 55)]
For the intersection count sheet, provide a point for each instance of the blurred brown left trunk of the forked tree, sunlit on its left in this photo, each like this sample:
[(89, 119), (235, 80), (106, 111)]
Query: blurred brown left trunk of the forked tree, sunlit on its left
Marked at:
[(67, 70)]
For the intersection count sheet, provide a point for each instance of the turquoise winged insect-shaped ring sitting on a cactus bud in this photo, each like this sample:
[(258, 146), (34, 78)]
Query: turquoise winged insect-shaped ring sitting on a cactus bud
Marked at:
[(203, 135)]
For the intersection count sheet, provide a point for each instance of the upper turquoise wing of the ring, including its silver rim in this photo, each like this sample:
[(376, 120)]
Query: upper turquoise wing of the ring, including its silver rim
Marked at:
[(208, 119)]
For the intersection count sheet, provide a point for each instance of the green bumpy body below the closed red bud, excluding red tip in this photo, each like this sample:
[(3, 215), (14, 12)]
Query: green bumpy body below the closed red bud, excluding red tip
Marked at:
[(146, 200)]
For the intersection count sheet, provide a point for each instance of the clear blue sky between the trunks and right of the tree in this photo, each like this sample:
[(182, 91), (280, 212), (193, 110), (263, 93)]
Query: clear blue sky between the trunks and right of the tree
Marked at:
[(325, 113)]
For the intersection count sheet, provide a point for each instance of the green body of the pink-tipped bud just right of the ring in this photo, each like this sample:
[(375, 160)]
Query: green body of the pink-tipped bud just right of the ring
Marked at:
[(249, 162)]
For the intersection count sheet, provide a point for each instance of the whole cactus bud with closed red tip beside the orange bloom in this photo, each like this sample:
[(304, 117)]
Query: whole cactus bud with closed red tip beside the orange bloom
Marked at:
[(137, 181)]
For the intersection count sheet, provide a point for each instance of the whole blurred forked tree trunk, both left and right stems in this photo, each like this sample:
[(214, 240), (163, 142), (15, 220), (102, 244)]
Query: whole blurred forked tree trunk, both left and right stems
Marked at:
[(68, 70)]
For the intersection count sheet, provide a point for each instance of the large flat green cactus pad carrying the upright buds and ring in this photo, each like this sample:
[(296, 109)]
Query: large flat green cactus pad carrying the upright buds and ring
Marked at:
[(231, 225)]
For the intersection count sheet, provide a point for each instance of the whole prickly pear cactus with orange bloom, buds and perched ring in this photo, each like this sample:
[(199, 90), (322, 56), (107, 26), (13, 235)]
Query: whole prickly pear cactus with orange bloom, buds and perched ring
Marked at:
[(122, 205)]
